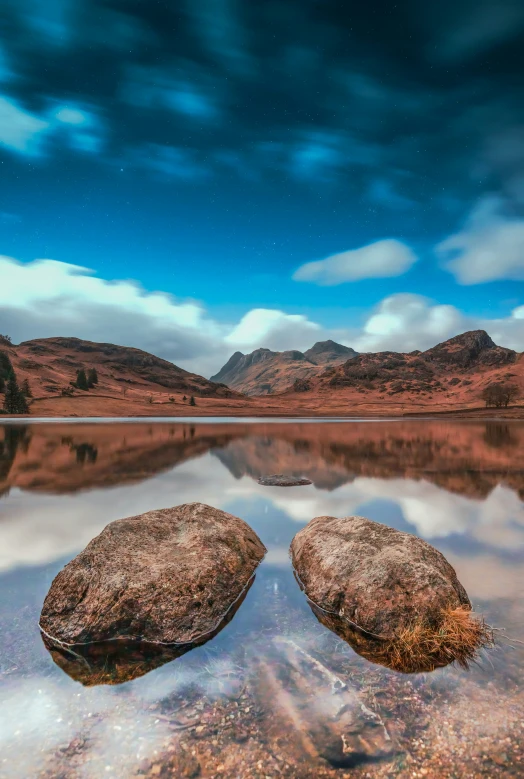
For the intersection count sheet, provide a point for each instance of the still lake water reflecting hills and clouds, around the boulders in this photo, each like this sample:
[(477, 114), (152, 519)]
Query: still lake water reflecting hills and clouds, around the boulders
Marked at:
[(257, 700)]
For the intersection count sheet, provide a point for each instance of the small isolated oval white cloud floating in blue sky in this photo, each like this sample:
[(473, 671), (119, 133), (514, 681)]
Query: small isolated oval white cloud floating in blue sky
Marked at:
[(381, 259)]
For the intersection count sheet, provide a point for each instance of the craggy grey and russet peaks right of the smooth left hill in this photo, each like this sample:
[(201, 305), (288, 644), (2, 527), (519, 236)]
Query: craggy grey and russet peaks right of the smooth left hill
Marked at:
[(329, 366)]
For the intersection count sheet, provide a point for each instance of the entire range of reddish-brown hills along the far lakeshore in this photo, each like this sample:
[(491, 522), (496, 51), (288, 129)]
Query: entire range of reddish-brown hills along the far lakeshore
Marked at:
[(327, 380)]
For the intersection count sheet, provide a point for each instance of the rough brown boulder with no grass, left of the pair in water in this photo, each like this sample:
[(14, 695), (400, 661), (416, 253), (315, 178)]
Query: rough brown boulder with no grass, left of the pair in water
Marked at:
[(169, 576)]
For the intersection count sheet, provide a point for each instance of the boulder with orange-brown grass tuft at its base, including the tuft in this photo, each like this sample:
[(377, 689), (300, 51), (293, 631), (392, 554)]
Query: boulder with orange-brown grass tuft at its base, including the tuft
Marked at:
[(391, 595)]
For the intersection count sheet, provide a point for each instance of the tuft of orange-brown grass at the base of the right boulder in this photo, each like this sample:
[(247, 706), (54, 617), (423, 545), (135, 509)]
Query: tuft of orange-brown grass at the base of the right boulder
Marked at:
[(421, 646)]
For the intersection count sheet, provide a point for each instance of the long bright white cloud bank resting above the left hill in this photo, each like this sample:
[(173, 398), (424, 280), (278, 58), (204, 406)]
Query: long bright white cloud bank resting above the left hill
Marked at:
[(47, 298)]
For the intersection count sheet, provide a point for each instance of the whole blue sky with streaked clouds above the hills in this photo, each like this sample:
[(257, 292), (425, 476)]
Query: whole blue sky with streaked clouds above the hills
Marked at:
[(196, 177)]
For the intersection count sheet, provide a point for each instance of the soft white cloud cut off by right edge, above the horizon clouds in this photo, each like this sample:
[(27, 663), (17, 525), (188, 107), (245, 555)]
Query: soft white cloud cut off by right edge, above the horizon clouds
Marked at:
[(489, 247)]
